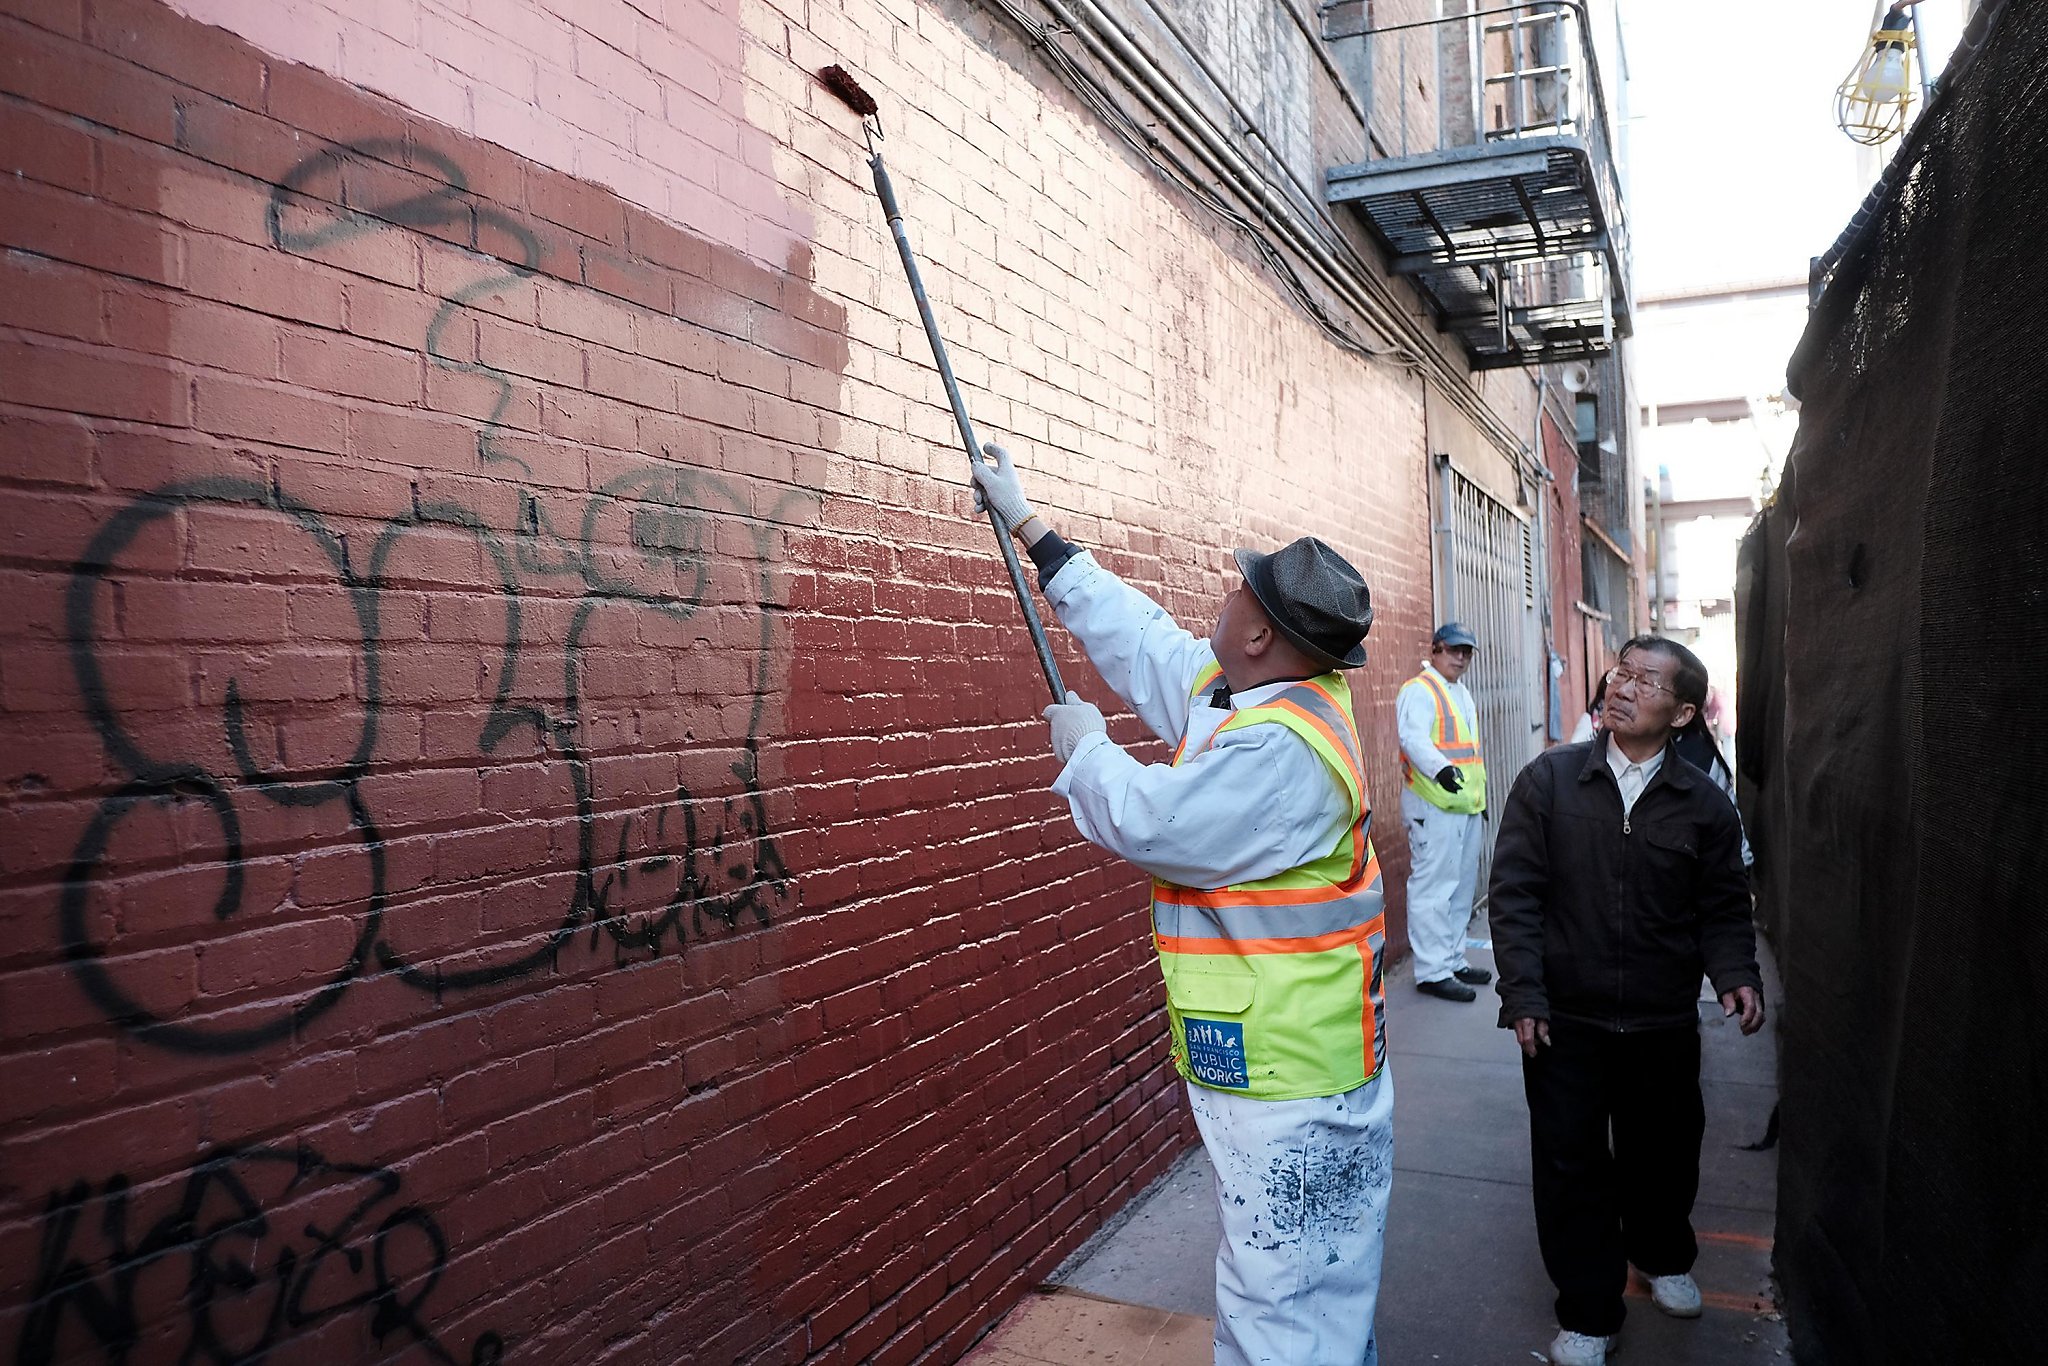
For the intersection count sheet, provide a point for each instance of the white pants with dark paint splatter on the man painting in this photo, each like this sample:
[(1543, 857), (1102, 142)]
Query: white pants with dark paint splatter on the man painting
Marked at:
[(1304, 1195)]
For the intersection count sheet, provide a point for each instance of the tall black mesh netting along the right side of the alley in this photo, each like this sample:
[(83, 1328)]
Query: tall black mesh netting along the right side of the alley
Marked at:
[(1895, 761)]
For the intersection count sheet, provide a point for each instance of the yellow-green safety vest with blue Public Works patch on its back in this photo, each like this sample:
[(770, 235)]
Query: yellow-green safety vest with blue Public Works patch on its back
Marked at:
[(1275, 986)]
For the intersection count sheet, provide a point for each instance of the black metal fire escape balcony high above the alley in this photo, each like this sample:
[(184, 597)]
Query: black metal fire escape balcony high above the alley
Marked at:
[(1512, 222)]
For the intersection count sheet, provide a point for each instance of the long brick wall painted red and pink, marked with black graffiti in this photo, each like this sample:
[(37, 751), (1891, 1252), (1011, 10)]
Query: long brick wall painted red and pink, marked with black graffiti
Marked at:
[(523, 822)]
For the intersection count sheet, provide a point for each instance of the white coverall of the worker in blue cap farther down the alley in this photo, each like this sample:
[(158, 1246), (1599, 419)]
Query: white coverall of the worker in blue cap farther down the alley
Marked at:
[(1443, 845)]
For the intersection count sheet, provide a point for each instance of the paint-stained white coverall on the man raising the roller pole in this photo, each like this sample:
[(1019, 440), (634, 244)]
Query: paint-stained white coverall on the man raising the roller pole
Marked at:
[(1302, 1185)]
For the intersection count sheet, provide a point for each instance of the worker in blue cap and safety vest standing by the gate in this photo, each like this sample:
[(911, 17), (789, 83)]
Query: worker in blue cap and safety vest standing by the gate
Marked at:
[(1443, 804)]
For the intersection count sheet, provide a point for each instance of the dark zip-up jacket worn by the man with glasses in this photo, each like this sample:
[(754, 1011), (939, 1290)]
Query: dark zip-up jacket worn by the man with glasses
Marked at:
[(1611, 919)]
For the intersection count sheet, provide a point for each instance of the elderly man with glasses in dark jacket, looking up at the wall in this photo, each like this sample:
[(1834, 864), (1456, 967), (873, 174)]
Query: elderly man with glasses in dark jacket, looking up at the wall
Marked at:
[(1617, 886)]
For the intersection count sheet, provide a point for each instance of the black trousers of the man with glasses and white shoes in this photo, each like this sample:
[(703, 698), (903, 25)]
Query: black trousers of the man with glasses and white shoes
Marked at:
[(1615, 1134)]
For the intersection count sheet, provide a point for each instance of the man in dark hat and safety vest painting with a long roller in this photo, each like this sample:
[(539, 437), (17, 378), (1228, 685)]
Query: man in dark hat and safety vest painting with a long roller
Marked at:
[(1267, 912)]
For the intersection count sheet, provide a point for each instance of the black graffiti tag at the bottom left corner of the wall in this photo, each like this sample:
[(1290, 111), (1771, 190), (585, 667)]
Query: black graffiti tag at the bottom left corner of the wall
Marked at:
[(263, 1242)]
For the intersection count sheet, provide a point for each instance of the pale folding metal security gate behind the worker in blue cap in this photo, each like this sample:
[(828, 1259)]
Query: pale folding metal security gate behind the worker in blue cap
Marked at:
[(1490, 585)]
